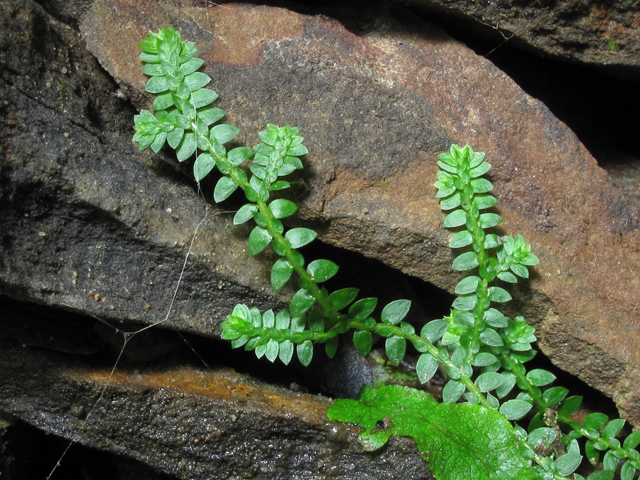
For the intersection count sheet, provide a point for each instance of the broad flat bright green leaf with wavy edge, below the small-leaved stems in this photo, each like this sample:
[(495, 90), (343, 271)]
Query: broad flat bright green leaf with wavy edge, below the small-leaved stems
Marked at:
[(444, 432)]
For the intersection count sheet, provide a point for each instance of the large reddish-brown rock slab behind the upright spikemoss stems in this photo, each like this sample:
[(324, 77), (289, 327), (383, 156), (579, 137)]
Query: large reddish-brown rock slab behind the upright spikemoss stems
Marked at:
[(375, 109)]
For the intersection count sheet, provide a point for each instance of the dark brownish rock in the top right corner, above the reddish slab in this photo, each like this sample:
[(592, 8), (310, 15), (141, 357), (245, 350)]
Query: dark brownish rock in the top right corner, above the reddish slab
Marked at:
[(592, 32)]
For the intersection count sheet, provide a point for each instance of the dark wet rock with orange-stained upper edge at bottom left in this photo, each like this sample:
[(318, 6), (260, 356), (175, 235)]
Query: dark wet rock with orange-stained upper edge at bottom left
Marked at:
[(193, 424)]
